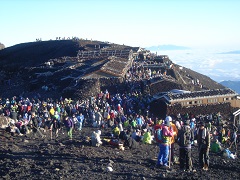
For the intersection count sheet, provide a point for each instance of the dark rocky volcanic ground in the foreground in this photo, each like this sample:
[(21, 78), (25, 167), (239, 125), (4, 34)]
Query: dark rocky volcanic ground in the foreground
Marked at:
[(35, 158)]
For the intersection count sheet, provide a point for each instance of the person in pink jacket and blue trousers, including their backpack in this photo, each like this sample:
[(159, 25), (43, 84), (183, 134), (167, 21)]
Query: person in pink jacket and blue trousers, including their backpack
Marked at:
[(162, 136)]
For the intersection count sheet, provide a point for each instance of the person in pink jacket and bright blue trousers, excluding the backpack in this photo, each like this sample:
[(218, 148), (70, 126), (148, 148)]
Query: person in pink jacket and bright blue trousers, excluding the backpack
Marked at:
[(167, 132)]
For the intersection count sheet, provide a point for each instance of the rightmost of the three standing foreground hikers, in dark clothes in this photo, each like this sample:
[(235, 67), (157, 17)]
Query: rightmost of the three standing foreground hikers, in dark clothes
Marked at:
[(203, 140)]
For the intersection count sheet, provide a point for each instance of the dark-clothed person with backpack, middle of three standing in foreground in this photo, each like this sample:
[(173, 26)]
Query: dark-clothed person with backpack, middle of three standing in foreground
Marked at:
[(185, 137)]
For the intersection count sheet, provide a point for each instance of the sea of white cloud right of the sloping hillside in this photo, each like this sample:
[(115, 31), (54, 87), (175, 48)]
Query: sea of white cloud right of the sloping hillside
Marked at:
[(217, 66)]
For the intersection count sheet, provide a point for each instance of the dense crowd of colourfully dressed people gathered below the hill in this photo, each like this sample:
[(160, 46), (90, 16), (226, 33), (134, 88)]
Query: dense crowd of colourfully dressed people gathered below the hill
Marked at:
[(129, 120)]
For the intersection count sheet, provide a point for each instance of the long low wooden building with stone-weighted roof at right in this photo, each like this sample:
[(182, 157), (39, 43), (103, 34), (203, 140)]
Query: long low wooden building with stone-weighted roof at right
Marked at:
[(202, 102)]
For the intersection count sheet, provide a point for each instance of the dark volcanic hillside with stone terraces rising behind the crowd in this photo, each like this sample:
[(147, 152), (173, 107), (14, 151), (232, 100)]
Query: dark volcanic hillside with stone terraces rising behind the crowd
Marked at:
[(78, 68)]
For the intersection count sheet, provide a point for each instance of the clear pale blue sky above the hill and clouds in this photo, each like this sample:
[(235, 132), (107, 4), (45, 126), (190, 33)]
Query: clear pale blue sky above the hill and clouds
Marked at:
[(191, 23)]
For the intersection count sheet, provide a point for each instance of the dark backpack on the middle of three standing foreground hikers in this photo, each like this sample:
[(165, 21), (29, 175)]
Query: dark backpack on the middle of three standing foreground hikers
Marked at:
[(185, 136)]
